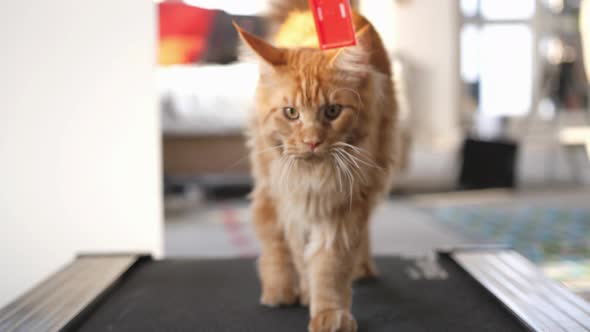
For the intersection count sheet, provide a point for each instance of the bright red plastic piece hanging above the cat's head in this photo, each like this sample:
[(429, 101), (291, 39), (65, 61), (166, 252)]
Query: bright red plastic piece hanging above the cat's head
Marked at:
[(333, 22)]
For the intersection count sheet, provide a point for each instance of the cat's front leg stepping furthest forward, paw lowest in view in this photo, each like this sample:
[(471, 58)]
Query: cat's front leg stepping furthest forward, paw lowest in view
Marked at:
[(330, 272)]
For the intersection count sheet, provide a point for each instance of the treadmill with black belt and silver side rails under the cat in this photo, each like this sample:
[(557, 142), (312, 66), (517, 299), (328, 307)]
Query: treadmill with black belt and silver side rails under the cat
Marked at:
[(455, 289)]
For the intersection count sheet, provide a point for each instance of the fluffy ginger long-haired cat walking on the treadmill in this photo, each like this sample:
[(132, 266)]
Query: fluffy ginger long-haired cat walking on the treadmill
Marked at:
[(322, 153)]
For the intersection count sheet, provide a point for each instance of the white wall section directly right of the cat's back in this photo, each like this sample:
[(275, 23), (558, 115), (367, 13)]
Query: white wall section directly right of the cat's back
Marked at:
[(425, 34)]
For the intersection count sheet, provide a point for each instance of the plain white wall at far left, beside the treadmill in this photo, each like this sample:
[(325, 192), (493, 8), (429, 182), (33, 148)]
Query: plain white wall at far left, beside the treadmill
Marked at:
[(79, 134)]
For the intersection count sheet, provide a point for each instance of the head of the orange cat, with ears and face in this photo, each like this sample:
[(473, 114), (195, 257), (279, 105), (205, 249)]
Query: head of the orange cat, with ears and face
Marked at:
[(310, 101)]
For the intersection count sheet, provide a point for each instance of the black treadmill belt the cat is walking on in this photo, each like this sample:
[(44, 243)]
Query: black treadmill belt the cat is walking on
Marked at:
[(222, 295)]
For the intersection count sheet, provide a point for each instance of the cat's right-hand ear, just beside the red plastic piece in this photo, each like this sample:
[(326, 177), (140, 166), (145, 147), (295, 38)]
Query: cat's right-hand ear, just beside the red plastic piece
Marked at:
[(354, 59)]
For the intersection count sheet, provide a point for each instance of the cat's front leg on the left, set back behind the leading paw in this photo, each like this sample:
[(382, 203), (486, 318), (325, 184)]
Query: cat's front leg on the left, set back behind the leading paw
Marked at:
[(277, 273)]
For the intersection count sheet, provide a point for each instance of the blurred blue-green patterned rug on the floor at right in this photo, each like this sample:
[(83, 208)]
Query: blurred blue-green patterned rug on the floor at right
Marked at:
[(557, 239)]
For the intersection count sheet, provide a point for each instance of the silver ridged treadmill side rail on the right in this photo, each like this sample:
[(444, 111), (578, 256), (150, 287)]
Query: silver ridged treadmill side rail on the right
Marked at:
[(542, 304)]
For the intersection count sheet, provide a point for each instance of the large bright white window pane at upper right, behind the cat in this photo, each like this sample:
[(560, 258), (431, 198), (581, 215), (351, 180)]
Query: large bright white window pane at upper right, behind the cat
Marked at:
[(497, 55)]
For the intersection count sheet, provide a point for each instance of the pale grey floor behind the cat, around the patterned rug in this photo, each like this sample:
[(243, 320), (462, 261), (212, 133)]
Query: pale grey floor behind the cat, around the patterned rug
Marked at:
[(399, 226)]
